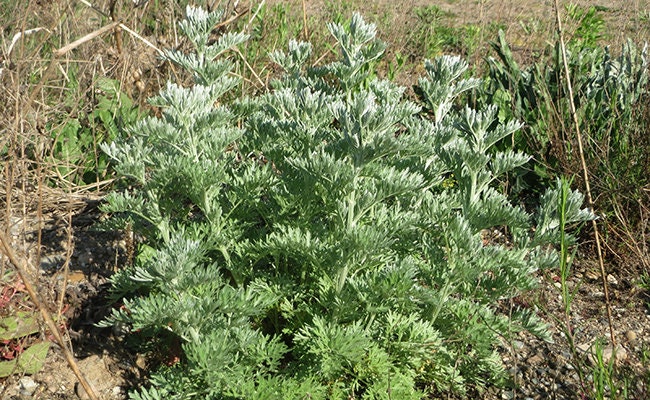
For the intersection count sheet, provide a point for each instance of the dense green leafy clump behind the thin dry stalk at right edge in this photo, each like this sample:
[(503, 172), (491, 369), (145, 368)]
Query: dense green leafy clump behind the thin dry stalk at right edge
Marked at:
[(610, 92)]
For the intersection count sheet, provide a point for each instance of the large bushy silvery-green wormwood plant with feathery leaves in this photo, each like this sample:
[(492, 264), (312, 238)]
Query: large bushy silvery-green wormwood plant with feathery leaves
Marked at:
[(322, 240)]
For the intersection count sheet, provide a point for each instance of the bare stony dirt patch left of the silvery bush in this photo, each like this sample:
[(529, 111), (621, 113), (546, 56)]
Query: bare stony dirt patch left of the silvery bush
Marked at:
[(92, 256)]
